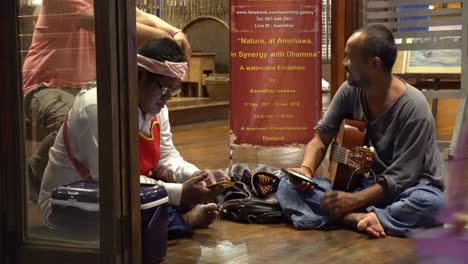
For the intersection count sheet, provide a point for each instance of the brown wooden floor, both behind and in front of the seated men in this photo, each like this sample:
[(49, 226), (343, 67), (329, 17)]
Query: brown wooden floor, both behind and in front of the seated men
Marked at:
[(207, 146)]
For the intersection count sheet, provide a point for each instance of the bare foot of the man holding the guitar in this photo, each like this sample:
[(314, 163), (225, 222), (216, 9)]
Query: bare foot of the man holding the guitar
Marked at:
[(368, 223)]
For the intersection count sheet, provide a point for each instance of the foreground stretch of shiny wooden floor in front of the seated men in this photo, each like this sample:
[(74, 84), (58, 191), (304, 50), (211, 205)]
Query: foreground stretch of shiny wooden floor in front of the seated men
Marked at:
[(229, 242)]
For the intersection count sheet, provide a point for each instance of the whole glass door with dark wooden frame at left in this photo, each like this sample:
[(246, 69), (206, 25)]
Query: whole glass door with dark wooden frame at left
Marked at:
[(69, 196)]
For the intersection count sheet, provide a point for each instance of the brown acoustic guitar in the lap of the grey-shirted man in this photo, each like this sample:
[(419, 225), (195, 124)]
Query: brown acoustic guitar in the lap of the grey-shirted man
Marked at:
[(350, 161)]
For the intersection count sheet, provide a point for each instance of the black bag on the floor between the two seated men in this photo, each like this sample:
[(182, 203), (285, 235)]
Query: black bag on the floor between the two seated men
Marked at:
[(245, 202)]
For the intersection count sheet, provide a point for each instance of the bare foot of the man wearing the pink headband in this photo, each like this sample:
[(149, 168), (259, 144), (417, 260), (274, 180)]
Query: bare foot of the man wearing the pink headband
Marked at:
[(201, 215)]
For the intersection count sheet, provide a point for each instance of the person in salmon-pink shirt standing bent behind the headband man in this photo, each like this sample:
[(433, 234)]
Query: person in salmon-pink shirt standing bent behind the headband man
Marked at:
[(60, 61)]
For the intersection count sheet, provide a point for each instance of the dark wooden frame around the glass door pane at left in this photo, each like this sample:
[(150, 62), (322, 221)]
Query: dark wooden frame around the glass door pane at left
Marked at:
[(120, 238)]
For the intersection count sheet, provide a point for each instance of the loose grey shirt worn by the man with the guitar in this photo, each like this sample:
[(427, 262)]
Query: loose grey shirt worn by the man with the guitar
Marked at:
[(406, 151)]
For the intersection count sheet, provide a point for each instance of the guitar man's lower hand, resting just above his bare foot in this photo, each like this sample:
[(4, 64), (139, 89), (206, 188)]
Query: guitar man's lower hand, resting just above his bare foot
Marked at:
[(339, 203)]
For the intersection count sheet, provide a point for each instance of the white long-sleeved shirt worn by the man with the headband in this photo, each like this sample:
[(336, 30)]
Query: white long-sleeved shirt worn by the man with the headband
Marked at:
[(83, 139)]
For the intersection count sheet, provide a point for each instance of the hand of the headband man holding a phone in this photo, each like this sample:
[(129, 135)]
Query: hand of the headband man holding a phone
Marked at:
[(194, 193)]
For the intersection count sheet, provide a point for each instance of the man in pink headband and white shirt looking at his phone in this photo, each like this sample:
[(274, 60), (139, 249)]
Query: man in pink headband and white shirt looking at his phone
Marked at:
[(74, 156)]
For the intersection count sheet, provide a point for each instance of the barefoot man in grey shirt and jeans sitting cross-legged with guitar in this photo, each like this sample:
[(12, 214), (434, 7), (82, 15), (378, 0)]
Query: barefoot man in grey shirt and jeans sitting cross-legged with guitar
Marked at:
[(403, 189)]
